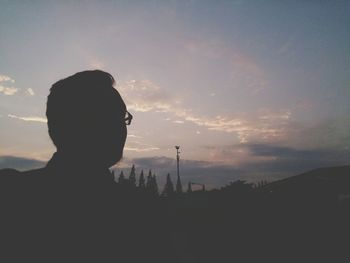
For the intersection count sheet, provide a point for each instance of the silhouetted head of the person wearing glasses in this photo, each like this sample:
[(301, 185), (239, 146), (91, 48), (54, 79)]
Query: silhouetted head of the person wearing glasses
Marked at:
[(86, 118)]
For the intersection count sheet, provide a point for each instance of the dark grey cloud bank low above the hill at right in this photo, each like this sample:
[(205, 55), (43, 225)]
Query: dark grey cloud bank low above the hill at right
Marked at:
[(272, 162)]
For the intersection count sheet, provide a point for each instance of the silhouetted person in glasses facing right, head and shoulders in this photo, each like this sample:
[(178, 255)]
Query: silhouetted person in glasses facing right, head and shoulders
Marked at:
[(71, 210)]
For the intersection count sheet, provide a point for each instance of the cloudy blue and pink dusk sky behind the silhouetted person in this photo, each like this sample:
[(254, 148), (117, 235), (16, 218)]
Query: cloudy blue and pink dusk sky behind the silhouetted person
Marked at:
[(250, 90)]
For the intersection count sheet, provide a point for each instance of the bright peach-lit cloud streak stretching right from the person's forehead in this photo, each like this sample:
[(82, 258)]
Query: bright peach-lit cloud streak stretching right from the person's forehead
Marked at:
[(264, 125)]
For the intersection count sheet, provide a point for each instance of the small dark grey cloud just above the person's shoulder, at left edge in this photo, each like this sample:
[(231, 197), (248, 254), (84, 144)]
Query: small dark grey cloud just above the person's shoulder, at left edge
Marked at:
[(20, 163)]
